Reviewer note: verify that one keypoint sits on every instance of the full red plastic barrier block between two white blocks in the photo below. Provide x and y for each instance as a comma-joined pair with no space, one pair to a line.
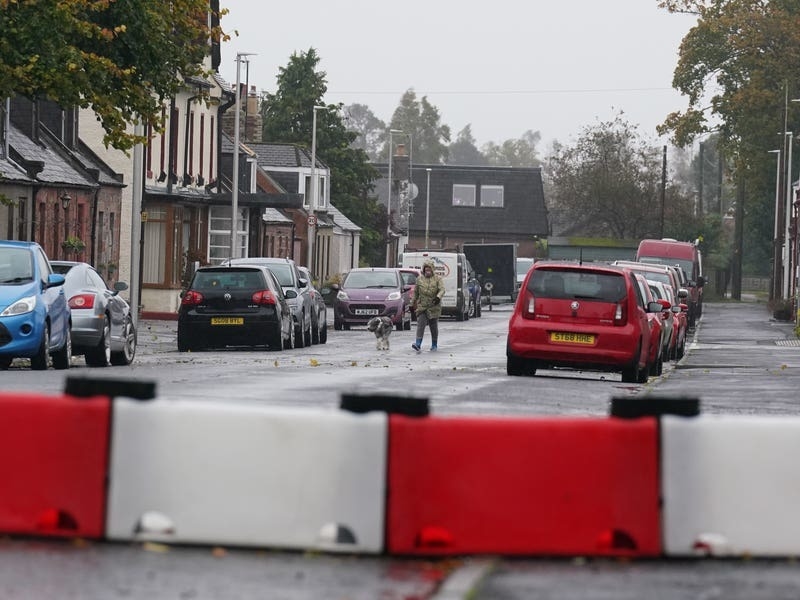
538,486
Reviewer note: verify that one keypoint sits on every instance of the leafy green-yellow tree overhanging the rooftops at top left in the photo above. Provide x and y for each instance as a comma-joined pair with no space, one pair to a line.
122,59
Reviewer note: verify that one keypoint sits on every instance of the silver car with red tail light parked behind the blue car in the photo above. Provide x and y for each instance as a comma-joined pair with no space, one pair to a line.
102,324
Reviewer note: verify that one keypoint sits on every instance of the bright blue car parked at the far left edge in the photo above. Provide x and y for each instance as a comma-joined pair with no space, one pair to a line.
34,315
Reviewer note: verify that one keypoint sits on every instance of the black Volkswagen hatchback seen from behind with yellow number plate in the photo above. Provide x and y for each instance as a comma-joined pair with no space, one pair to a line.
234,306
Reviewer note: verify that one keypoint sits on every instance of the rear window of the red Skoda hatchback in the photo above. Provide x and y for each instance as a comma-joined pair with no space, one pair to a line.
574,284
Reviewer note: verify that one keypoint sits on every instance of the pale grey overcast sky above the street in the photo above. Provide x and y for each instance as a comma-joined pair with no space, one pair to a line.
503,66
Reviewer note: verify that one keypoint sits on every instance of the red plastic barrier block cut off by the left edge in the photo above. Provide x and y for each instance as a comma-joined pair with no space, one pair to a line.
53,464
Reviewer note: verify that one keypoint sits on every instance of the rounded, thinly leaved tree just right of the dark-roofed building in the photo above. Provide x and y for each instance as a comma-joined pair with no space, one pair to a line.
608,183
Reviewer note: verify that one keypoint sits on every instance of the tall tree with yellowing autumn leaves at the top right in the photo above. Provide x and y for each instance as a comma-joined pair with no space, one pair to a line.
738,67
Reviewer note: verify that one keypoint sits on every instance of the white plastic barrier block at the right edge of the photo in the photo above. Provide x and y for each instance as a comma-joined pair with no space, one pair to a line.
731,485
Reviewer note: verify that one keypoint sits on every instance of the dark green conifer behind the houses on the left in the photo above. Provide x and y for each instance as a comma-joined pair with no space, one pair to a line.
288,117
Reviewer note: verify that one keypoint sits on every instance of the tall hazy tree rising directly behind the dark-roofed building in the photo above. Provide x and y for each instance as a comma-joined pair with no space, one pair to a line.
421,120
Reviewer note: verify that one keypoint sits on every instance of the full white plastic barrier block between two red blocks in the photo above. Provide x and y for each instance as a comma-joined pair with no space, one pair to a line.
244,475
